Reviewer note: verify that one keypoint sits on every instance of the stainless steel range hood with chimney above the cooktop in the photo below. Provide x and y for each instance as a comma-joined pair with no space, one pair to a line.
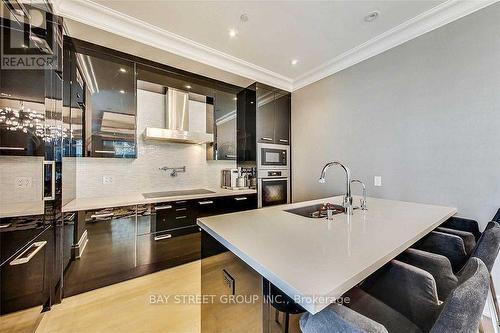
177,128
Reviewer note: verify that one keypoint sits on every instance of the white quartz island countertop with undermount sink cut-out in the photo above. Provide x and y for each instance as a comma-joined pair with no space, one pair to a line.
315,261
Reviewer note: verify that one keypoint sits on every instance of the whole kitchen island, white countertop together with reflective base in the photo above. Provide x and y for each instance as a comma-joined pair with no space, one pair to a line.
313,261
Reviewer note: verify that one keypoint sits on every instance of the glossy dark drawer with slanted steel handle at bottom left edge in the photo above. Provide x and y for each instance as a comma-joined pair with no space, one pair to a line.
25,278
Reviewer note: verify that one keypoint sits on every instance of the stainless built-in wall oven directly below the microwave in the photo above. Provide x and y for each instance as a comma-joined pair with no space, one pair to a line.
273,187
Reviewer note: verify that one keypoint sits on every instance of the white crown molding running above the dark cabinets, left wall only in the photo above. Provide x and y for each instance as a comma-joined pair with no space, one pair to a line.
107,19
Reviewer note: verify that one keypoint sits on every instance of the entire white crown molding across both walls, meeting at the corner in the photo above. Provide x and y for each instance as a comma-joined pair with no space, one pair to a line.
107,19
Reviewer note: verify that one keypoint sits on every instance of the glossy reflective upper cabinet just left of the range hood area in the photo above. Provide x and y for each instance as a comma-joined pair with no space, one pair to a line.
103,104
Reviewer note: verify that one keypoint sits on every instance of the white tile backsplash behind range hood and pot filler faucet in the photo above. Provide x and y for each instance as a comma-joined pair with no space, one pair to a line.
142,174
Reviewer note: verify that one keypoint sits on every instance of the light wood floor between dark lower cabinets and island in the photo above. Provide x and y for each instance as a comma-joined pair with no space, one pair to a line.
125,306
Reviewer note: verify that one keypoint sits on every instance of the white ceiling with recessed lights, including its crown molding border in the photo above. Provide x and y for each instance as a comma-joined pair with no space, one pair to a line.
318,34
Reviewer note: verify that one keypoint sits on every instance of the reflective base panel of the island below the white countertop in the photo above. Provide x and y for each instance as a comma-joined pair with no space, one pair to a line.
234,294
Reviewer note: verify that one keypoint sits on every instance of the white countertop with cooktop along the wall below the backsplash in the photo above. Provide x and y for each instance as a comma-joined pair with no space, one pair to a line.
138,199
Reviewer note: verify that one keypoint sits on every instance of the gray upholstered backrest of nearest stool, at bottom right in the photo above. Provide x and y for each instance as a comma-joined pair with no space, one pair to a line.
462,310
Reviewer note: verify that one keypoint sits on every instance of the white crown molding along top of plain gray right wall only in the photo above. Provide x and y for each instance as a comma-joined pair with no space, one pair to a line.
434,18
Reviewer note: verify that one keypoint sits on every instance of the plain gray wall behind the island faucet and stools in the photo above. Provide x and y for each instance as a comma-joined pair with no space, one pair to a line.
425,116
